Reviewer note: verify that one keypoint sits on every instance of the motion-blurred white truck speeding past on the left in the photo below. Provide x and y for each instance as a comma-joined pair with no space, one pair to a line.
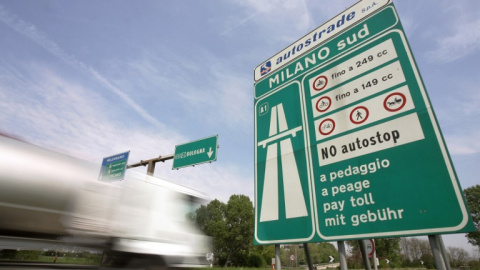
47,198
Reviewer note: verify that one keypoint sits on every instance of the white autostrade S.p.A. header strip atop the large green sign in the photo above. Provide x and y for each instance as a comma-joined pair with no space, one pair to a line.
326,31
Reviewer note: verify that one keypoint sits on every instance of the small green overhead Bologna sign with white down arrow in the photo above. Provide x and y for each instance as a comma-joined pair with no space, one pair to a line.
196,152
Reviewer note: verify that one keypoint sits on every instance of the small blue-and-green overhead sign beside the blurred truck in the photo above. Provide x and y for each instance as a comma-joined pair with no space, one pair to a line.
114,167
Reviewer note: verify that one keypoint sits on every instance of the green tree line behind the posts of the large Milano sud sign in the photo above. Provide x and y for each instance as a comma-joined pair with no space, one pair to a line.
231,227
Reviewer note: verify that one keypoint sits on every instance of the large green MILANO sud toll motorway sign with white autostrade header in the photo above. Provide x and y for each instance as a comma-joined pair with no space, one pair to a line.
346,142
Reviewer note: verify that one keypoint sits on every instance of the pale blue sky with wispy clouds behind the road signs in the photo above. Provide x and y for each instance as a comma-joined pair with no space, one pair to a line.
92,79
